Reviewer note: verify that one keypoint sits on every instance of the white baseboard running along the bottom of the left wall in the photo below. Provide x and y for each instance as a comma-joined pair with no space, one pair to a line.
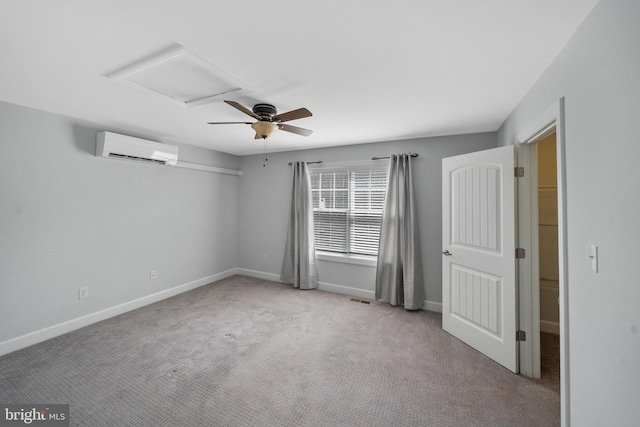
32,338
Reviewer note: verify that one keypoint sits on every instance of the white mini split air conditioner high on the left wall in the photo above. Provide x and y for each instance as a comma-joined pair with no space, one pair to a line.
118,146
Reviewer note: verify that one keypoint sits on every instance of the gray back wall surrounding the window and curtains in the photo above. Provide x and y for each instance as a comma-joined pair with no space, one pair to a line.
264,200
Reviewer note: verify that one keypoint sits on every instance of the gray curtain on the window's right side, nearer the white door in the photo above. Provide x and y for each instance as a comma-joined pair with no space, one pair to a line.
399,270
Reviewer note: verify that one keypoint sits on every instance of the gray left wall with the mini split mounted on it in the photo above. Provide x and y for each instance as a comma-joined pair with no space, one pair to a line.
69,219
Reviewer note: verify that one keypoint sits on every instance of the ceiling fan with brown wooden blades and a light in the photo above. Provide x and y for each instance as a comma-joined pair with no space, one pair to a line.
268,119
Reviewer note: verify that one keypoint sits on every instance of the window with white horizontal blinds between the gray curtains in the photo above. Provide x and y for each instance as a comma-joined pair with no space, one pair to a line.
347,207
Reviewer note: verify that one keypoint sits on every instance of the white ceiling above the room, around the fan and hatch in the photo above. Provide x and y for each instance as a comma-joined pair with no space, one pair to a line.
368,70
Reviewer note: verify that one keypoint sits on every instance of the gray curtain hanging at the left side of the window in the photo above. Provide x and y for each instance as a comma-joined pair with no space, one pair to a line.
299,264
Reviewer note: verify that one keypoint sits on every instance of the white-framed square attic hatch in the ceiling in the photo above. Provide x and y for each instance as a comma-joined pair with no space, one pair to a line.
181,77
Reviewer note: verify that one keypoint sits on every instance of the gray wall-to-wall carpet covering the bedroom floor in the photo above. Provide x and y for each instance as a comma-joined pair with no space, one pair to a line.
248,352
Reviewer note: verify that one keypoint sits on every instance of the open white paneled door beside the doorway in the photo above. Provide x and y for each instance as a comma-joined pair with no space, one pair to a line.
478,243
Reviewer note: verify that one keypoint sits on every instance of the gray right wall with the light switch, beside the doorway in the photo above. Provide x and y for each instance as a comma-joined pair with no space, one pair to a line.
598,73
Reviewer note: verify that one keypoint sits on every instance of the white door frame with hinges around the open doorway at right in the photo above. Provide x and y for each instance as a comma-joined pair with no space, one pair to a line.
527,232
